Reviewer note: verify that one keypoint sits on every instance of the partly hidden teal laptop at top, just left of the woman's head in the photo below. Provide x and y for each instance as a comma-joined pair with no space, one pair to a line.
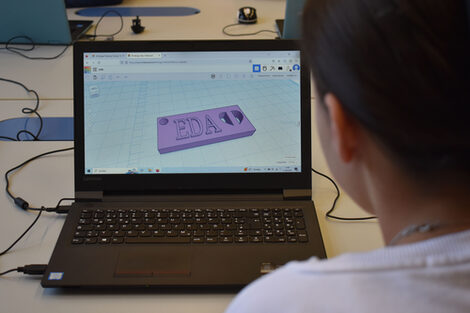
290,26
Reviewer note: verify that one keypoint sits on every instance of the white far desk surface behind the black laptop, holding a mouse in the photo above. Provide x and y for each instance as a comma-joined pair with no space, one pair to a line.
53,78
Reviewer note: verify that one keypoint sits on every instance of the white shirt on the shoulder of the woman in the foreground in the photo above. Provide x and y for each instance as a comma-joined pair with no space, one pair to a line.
425,277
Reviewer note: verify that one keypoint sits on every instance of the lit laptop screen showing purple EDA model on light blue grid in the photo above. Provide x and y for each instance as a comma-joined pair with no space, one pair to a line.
167,112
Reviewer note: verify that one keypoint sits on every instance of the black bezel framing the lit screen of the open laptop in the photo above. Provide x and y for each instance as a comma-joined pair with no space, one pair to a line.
186,182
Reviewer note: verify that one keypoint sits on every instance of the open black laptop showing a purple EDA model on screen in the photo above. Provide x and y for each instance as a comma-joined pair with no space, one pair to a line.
192,165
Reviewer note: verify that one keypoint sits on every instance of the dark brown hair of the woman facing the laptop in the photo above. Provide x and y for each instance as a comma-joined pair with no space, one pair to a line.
402,69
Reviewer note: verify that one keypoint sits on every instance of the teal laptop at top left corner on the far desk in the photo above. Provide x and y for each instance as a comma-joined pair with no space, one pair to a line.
44,22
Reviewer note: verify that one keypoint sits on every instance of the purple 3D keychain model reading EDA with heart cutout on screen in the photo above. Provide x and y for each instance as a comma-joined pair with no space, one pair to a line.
194,129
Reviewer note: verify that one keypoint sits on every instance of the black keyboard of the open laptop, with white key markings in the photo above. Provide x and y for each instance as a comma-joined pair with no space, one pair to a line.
171,226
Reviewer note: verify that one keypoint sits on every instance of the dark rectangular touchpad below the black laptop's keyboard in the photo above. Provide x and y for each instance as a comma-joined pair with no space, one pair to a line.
153,263
